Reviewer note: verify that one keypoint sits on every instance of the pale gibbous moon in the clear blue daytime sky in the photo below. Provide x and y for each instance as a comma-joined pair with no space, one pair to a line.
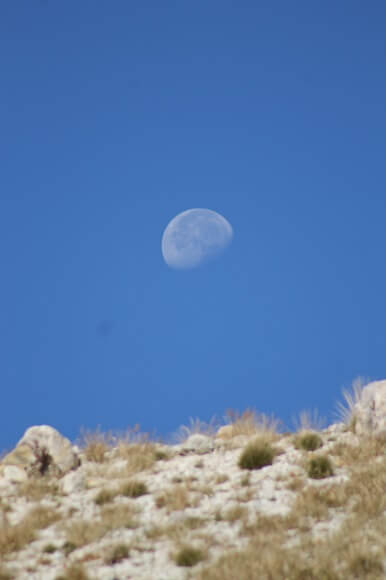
193,237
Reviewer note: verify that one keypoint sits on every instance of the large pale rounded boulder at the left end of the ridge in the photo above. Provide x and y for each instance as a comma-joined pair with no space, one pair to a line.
42,450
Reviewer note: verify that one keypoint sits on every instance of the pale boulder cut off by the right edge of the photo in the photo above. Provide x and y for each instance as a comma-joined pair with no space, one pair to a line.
370,409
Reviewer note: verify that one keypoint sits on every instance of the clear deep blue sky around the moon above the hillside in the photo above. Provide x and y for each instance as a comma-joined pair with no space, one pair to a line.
115,117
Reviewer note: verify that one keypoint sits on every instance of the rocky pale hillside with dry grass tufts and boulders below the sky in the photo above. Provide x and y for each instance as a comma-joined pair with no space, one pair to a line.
245,502
